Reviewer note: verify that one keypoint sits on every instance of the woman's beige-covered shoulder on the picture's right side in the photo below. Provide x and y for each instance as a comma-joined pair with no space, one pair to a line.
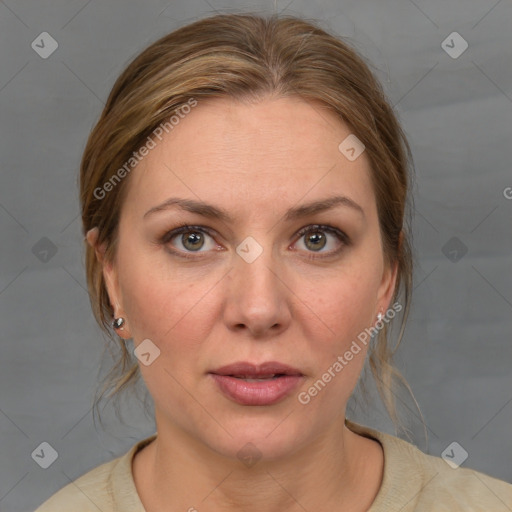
416,481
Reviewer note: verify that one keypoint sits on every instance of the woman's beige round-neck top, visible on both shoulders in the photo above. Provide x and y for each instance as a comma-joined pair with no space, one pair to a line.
412,481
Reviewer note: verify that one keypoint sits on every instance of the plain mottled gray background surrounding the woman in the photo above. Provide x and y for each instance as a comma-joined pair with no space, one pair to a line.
457,113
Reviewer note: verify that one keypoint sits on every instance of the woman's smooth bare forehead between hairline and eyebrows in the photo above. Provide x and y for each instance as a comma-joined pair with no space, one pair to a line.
256,154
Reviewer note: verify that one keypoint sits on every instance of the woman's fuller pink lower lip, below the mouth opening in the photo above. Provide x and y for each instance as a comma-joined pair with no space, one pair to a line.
265,392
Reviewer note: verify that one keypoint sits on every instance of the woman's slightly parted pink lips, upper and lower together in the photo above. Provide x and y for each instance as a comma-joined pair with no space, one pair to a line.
249,384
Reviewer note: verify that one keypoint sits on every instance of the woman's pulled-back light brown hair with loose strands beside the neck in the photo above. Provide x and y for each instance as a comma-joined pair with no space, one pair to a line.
247,57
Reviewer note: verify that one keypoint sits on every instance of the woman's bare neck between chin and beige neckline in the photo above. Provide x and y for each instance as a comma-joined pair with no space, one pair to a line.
337,470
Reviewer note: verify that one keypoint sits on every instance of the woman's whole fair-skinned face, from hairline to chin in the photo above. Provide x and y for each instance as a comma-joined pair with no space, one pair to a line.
249,287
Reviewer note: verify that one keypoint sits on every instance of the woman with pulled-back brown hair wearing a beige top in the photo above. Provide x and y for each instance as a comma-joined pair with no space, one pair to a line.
244,201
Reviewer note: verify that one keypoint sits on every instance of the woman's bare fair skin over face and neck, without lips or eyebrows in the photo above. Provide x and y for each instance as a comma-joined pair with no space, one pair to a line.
255,160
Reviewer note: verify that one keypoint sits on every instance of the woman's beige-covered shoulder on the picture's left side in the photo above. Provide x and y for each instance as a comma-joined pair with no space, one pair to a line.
108,487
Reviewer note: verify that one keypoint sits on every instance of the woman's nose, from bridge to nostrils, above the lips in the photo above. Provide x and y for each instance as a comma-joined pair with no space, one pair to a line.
258,299
